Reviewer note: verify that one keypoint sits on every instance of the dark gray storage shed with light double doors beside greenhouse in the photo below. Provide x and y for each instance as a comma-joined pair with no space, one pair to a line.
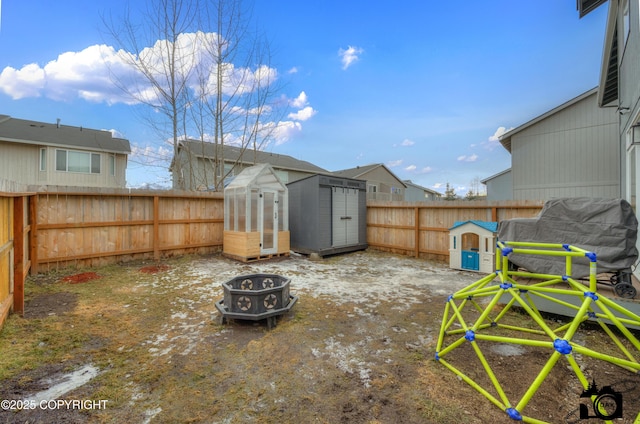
327,215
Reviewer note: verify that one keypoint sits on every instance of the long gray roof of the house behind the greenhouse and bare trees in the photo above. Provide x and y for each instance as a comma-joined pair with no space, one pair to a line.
249,157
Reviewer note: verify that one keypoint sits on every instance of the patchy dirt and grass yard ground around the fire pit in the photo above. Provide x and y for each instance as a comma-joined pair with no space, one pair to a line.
144,343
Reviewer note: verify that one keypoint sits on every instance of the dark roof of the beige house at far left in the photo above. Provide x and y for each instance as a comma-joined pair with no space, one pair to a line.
45,134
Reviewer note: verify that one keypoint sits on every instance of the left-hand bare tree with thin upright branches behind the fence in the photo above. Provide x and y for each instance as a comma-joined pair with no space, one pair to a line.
157,50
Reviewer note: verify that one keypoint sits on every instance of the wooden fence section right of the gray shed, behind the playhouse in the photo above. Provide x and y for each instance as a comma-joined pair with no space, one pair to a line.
421,229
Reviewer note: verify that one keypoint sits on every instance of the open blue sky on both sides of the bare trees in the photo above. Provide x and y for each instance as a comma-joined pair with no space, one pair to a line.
421,86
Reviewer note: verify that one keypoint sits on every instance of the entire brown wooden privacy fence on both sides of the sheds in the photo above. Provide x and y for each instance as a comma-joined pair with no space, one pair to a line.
56,229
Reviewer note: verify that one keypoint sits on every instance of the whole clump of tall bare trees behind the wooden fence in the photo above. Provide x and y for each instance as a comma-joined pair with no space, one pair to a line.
199,66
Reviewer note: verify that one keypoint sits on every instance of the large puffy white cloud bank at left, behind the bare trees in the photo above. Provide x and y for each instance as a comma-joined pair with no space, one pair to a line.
88,74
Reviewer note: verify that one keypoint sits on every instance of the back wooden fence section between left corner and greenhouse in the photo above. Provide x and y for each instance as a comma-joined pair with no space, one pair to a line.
90,229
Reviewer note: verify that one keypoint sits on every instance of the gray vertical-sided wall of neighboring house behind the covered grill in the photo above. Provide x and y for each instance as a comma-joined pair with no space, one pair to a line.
570,152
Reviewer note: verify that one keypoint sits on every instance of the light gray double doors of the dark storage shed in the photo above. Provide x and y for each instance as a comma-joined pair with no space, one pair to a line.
344,216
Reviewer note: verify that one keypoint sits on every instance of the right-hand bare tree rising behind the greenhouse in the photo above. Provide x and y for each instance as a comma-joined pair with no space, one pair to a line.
238,84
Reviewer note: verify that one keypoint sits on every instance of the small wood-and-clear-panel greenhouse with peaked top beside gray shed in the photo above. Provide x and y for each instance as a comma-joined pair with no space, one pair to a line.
256,215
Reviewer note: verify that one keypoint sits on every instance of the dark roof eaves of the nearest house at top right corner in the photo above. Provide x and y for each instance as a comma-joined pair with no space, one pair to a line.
608,92
